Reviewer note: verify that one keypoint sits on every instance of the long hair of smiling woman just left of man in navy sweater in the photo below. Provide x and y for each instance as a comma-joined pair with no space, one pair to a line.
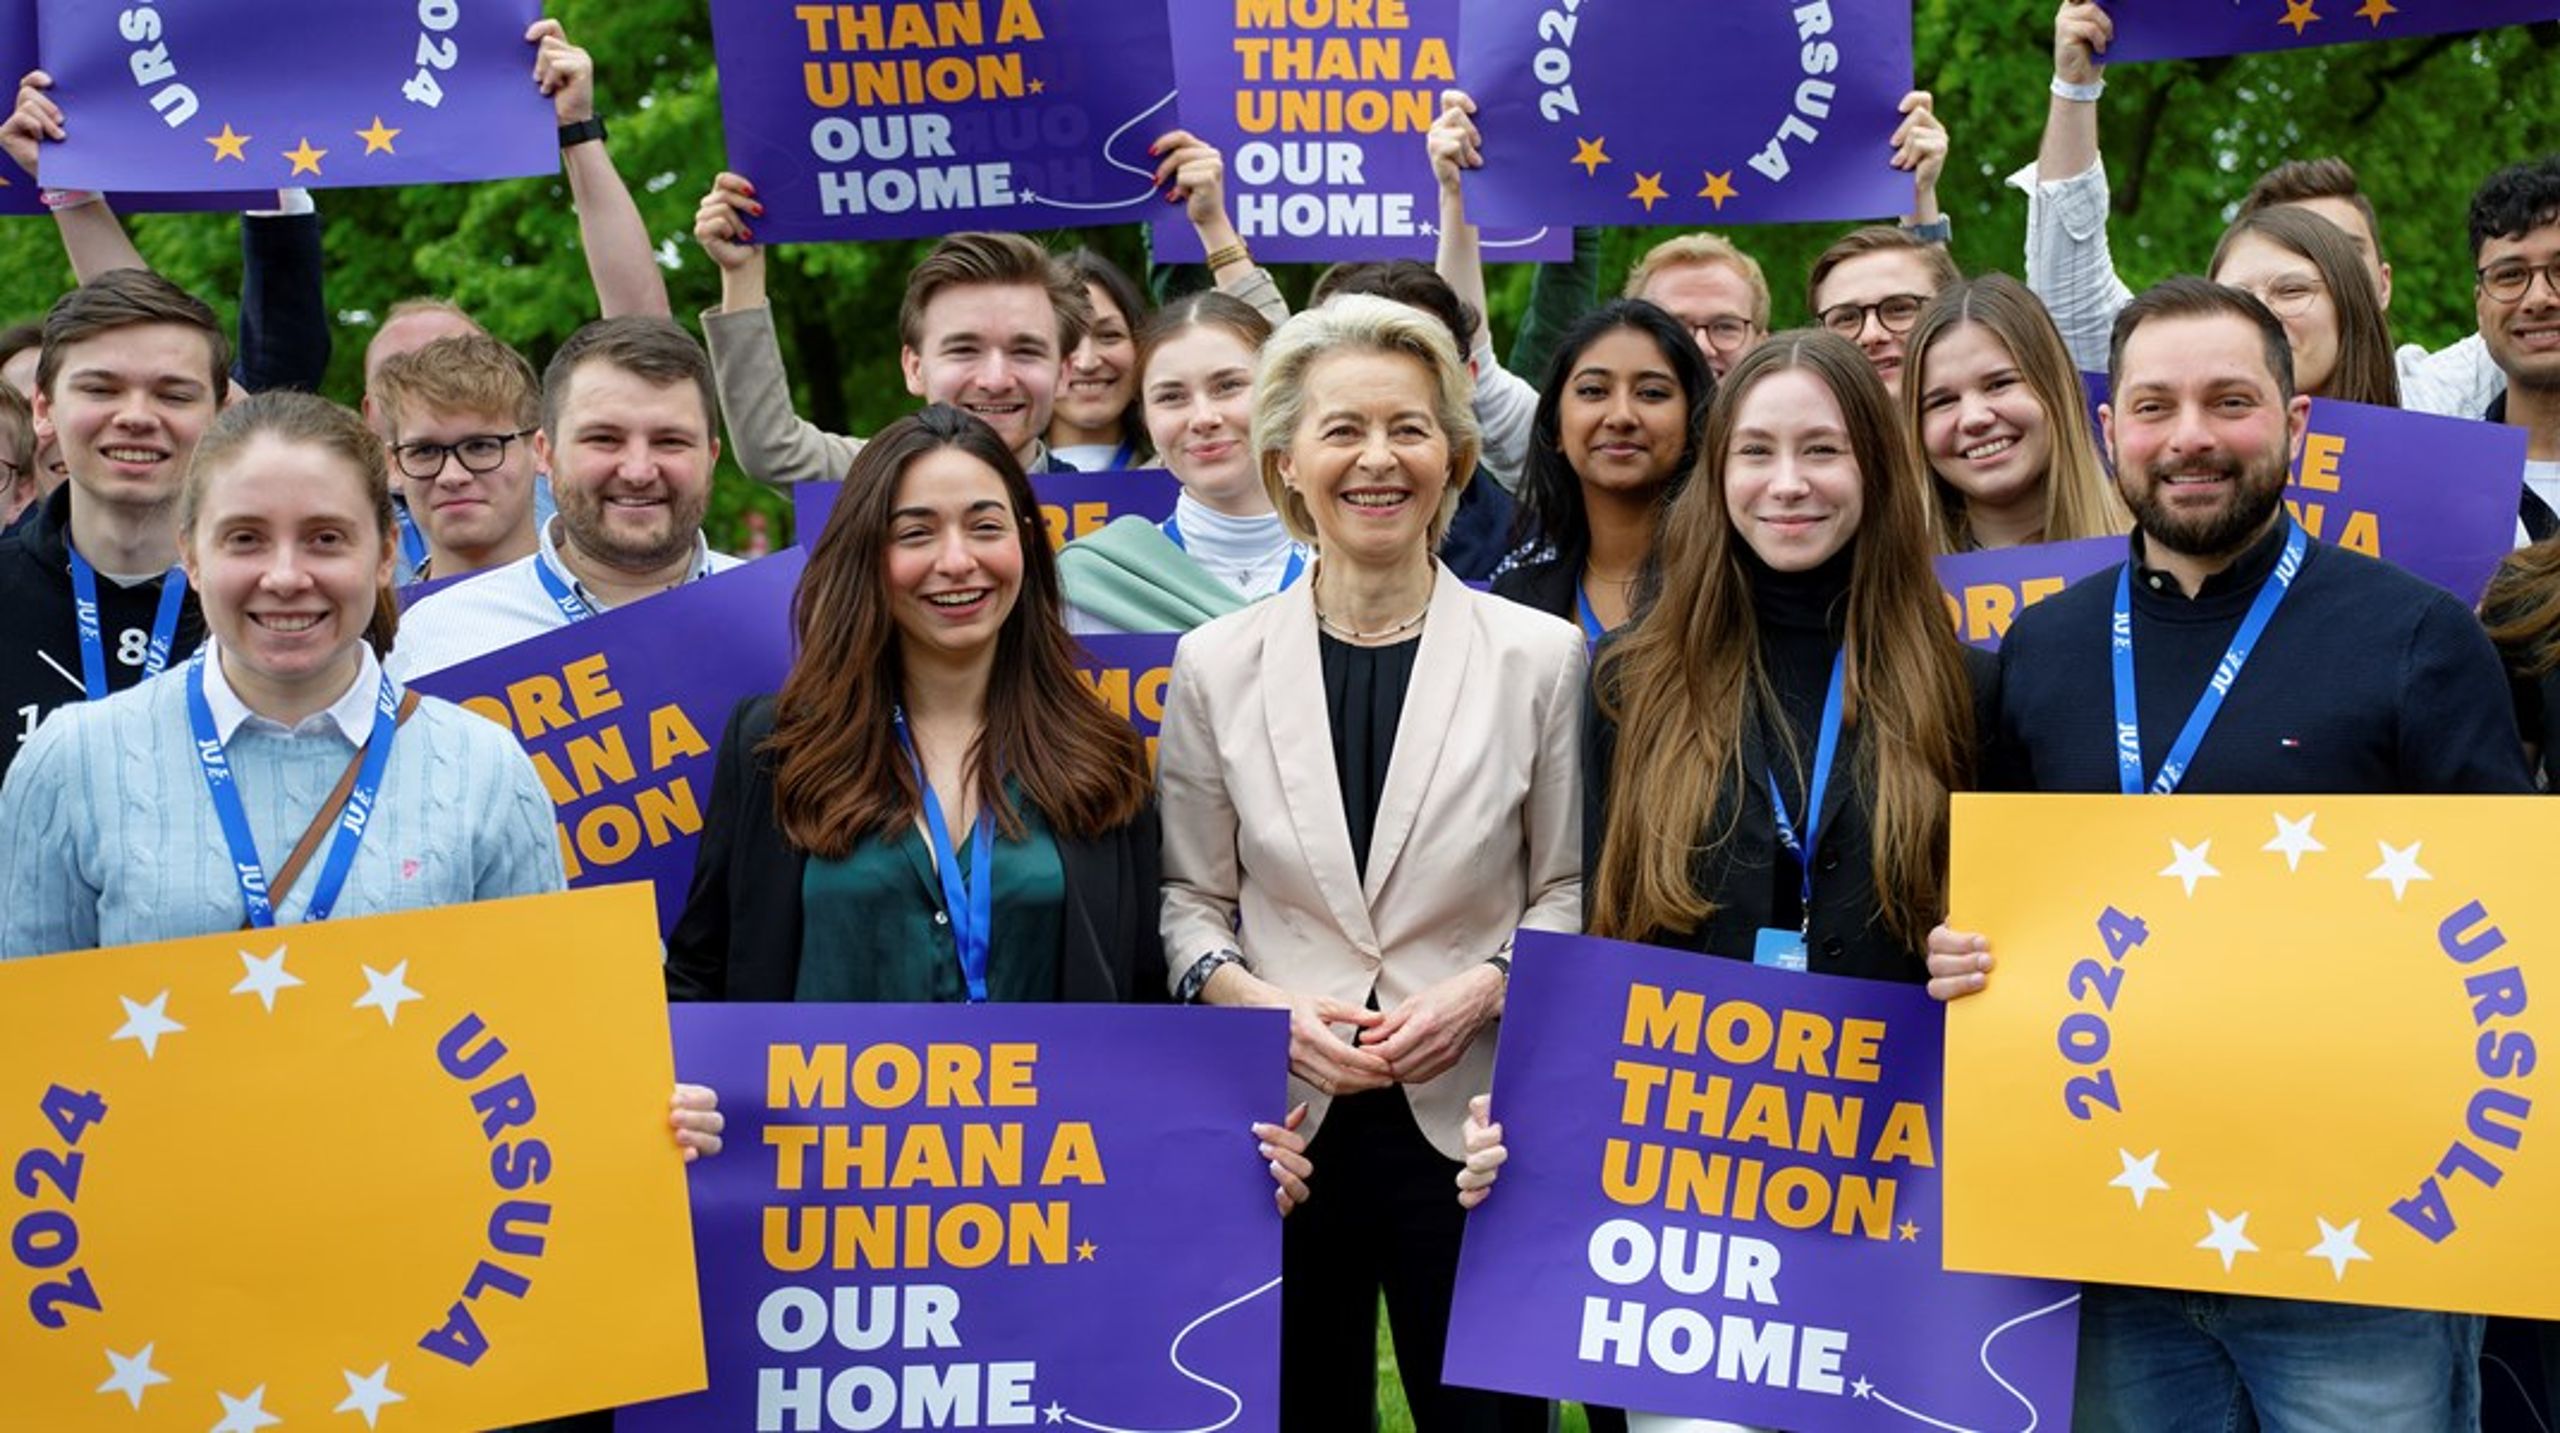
2080,500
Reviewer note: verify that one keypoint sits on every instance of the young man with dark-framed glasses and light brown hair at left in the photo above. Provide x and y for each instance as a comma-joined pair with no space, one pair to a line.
457,416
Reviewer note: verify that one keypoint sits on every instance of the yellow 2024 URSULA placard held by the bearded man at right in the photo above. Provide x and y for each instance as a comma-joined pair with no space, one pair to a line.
2272,1045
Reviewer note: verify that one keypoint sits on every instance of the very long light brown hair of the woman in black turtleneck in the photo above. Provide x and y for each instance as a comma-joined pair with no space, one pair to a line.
1688,674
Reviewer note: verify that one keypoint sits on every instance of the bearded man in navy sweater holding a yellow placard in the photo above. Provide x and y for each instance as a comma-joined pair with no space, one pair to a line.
2244,659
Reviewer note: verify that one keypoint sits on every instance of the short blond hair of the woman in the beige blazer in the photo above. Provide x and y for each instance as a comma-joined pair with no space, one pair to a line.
1361,324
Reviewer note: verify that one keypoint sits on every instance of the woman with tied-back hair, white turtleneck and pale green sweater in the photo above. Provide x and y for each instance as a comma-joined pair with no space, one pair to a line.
1225,546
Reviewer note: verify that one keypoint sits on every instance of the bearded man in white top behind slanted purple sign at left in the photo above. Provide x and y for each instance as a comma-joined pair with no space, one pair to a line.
628,439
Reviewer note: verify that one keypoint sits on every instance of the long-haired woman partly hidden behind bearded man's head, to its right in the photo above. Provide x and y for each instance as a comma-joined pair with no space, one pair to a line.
2308,273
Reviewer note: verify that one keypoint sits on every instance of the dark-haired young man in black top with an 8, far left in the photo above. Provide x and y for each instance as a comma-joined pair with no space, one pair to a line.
132,372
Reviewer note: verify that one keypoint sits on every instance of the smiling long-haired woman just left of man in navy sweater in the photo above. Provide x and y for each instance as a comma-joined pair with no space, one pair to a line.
2001,424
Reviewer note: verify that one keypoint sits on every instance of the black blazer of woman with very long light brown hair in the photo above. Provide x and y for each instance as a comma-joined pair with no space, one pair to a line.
1844,933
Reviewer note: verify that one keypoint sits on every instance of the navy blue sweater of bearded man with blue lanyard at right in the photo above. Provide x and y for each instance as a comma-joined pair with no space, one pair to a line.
2369,682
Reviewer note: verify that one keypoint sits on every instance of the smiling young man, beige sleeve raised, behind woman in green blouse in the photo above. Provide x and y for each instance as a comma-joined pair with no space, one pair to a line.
984,326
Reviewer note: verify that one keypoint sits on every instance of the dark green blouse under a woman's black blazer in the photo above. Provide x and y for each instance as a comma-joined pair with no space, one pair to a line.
874,928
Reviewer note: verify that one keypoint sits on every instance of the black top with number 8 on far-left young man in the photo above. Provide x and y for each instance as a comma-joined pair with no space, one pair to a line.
40,628
